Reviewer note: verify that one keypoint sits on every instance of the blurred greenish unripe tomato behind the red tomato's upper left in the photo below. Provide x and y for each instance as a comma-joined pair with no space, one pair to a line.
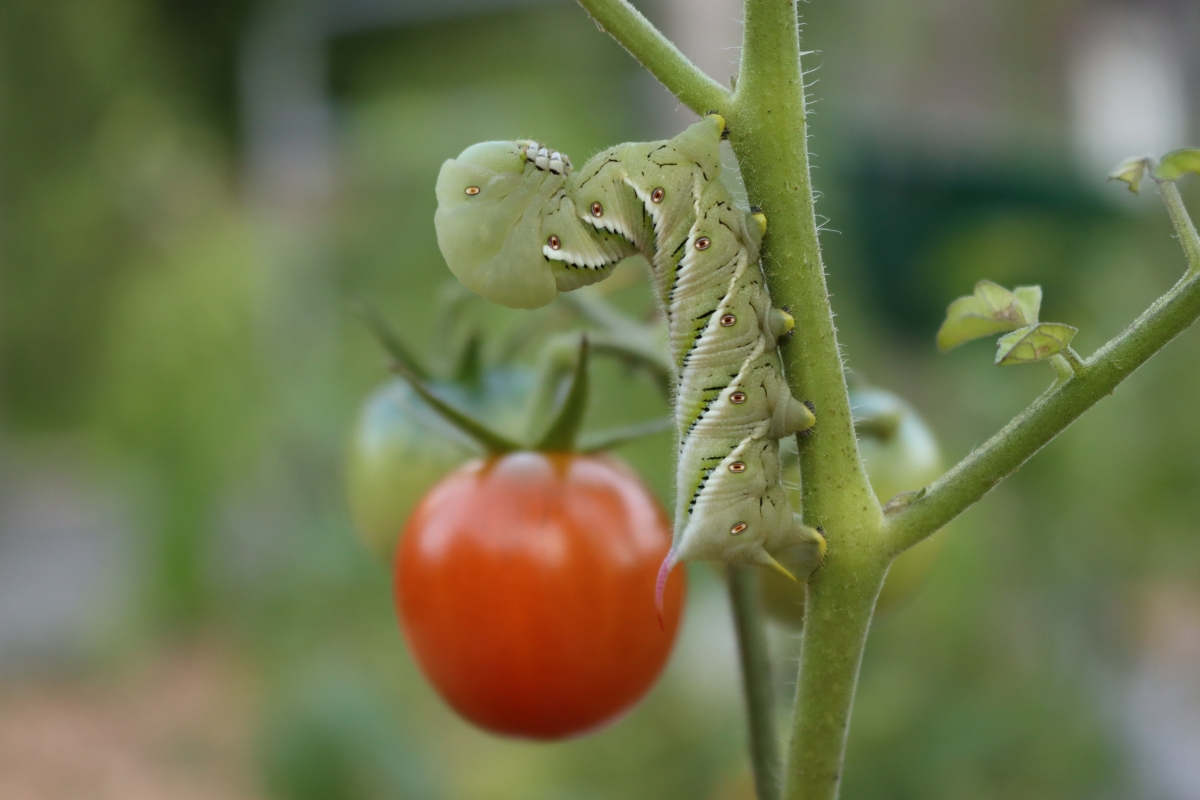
400,448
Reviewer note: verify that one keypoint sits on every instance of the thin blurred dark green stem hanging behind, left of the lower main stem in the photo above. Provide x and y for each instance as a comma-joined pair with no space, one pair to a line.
757,682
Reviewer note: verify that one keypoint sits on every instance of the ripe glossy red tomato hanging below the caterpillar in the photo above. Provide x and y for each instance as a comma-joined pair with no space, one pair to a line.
526,591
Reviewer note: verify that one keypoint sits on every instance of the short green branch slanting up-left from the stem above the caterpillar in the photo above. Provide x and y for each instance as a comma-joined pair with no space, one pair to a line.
658,55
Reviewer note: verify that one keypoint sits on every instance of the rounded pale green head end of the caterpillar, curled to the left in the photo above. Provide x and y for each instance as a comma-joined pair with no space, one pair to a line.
508,230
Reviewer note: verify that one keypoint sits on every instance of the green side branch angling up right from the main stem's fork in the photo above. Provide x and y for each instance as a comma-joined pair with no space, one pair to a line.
1047,418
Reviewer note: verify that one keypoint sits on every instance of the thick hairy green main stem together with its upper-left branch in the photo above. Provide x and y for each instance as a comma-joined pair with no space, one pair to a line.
769,134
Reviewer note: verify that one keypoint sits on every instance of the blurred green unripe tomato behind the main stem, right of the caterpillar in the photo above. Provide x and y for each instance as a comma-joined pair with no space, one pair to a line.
901,455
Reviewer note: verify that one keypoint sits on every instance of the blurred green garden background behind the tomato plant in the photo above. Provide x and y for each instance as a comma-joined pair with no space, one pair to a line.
190,195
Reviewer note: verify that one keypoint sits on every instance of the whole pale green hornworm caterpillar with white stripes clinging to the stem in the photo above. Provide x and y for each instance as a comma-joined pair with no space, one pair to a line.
518,225
